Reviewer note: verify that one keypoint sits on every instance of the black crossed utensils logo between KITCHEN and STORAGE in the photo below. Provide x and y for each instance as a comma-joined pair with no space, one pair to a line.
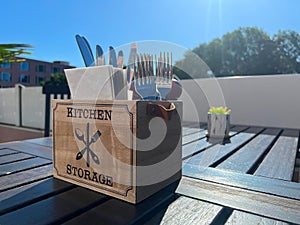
87,142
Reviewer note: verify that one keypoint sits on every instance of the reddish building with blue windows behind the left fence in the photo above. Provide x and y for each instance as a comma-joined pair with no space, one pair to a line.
30,72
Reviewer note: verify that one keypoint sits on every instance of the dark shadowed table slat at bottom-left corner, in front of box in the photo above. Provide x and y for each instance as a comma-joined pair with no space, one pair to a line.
55,209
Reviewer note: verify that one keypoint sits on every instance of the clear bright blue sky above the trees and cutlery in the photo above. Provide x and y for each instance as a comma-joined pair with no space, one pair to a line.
51,25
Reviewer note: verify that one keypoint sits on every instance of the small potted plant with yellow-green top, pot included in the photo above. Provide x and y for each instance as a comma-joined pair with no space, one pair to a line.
218,122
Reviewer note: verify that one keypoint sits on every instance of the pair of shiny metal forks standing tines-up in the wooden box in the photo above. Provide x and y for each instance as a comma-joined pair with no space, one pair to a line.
152,76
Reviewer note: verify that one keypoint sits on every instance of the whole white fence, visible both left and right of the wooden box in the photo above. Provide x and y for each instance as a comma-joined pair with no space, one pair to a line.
271,101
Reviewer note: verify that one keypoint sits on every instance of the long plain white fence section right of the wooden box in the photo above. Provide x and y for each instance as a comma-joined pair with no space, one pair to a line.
272,101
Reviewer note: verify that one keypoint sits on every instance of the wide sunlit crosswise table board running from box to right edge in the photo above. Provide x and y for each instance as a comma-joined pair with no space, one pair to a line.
274,207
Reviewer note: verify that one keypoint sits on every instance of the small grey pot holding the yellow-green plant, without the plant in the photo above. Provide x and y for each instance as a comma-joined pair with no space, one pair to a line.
218,126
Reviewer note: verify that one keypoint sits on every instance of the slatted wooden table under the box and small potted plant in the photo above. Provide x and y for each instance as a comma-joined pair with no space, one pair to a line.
251,180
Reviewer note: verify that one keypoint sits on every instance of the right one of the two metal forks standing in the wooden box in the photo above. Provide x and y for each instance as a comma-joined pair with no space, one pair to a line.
164,75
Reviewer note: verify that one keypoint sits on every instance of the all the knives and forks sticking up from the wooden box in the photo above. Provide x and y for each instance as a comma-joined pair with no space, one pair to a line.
149,77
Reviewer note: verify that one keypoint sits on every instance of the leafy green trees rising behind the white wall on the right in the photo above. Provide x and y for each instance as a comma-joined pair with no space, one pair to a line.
250,51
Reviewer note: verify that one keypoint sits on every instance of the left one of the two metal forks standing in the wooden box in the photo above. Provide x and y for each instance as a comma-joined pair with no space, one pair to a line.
144,81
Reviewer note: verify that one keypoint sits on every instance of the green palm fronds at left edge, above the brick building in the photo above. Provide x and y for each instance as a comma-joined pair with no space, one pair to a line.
9,52
